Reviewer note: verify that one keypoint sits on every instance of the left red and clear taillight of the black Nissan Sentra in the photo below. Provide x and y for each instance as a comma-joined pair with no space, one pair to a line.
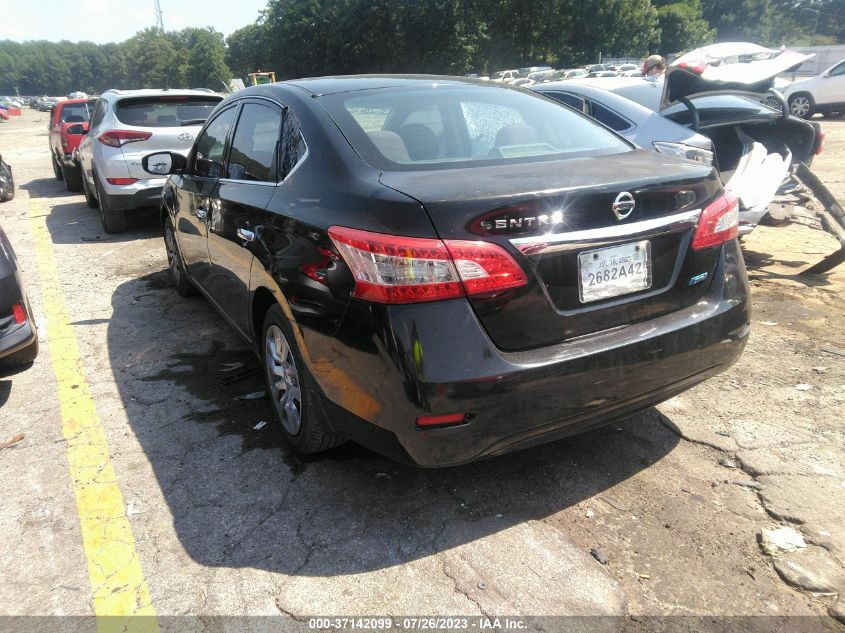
396,269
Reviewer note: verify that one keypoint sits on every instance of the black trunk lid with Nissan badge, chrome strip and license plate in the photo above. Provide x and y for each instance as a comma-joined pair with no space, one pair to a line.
557,219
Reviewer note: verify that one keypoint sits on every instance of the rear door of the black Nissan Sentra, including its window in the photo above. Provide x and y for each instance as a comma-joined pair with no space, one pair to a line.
239,199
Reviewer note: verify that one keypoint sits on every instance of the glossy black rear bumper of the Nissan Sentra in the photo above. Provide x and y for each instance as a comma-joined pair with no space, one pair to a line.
435,358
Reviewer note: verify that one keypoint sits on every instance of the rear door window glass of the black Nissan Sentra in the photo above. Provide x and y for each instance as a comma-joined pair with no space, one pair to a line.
255,144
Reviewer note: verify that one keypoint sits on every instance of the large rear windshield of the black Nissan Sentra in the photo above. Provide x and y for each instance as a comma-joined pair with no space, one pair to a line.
443,127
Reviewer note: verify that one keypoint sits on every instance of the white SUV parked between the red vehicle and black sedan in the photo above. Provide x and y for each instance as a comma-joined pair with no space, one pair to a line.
125,126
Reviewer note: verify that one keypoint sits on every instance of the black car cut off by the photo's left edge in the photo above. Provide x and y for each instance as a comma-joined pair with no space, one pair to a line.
18,336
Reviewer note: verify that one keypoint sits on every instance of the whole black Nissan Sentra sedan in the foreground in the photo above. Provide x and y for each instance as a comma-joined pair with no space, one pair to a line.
444,269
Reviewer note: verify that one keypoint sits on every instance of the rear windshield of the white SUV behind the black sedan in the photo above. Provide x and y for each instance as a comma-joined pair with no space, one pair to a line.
166,111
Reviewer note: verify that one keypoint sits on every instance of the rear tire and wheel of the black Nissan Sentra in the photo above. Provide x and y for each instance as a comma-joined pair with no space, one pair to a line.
294,392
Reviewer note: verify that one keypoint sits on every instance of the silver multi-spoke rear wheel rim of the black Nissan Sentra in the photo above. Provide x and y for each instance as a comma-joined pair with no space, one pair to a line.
283,379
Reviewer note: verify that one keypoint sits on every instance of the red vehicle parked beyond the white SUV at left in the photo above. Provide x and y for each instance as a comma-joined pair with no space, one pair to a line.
68,124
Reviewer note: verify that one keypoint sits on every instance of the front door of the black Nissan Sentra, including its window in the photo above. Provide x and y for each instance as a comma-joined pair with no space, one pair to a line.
194,191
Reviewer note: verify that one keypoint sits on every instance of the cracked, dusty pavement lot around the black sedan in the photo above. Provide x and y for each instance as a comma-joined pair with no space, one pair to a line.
221,519
